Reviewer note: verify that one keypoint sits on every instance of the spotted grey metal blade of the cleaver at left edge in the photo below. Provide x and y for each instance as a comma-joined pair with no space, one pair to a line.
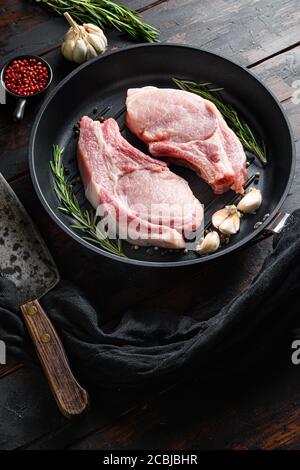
24,256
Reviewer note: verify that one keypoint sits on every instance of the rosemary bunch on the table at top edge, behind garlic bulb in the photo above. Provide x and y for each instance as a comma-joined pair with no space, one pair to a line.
106,13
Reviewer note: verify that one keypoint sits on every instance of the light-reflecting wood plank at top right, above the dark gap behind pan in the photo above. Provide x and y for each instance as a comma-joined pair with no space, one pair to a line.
244,31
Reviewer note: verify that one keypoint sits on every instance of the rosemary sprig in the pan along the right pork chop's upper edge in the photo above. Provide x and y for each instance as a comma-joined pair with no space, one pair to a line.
240,127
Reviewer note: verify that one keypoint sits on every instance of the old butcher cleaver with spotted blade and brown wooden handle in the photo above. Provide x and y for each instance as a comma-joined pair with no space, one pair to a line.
25,260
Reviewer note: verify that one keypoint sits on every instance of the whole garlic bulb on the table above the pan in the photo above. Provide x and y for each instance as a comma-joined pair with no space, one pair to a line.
82,43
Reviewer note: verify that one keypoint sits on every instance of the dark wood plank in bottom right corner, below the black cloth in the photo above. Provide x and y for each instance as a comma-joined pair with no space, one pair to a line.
257,410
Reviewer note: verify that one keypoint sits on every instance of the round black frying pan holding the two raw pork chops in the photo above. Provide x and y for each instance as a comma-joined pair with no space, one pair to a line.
99,88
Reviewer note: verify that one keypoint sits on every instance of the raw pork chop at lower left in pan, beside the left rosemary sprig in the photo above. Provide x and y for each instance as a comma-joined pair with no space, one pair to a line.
148,202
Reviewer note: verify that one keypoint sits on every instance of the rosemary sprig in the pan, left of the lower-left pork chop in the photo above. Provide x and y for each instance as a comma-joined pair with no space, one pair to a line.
85,220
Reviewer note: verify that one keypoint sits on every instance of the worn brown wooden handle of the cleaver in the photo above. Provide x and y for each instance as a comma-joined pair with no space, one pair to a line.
71,398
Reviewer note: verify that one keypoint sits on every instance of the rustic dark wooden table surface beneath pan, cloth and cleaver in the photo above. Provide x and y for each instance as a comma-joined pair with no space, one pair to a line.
255,409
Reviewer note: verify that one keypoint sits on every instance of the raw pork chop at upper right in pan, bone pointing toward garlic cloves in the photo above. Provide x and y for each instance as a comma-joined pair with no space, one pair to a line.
190,130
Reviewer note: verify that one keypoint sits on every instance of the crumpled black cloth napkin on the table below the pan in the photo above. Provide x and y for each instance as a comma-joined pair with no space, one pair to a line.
154,346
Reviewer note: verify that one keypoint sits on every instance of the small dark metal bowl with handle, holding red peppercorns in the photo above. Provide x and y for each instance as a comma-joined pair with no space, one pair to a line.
22,100
